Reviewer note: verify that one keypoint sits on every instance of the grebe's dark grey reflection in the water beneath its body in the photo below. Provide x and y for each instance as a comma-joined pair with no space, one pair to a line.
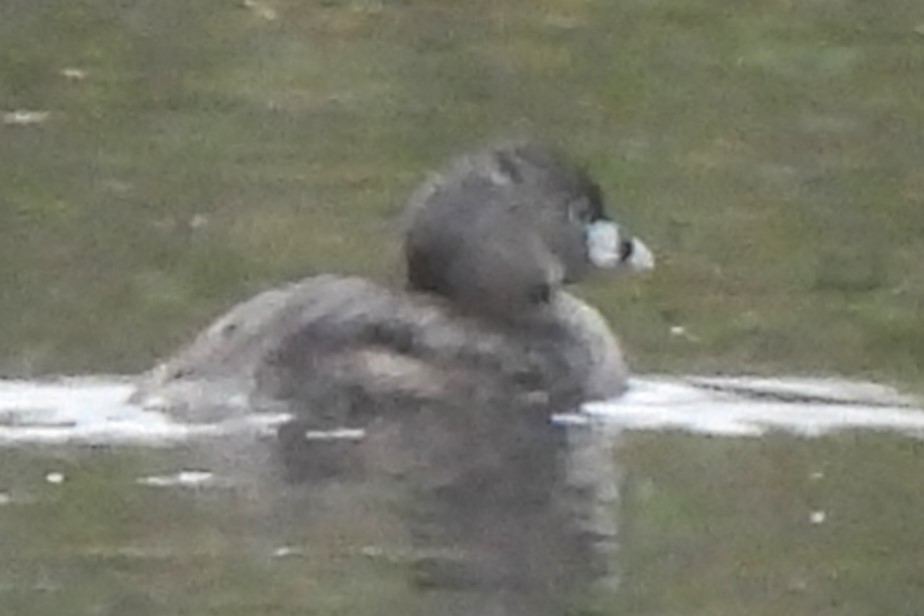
505,511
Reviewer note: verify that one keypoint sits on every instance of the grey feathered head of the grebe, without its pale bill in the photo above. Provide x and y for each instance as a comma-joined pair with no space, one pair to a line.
501,229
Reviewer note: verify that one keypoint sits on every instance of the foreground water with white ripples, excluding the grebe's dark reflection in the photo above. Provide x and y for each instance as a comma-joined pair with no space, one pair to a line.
734,496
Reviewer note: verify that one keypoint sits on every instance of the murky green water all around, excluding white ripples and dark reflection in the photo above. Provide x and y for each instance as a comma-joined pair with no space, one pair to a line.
161,160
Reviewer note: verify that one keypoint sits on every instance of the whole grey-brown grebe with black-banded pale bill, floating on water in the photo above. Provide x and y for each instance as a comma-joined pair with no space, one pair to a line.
489,244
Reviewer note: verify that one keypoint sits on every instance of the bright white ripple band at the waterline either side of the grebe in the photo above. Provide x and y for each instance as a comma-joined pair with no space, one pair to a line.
96,409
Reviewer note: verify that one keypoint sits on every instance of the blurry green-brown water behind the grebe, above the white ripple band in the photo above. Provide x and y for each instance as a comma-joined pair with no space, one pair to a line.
162,159
